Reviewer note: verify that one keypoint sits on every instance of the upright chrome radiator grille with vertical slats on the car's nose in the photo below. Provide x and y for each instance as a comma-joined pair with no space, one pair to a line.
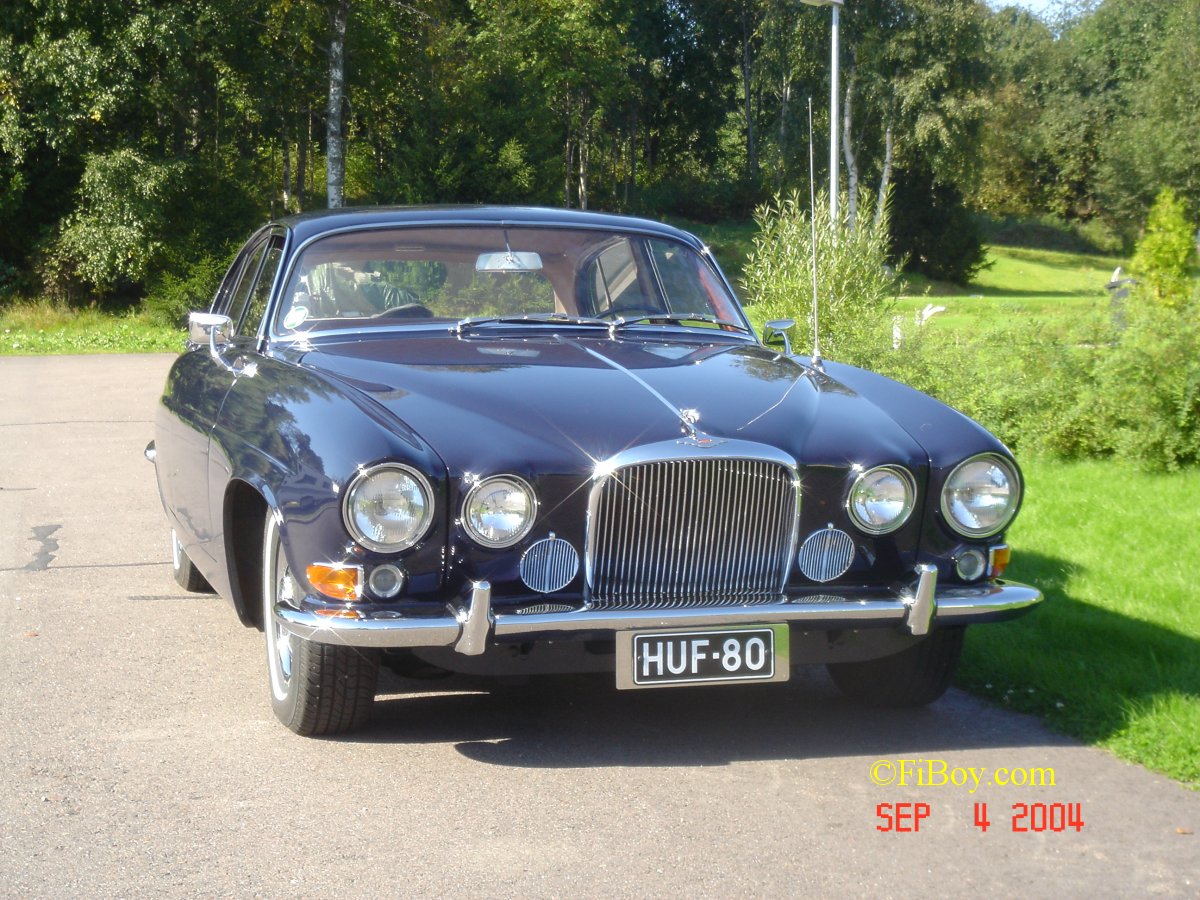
692,532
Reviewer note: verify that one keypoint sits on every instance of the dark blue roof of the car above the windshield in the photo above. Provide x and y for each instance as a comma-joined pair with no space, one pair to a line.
310,225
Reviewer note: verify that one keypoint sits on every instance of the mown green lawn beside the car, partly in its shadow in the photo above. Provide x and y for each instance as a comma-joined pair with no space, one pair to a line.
1113,656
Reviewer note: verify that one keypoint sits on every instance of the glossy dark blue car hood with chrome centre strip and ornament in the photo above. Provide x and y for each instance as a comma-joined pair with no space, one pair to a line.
560,404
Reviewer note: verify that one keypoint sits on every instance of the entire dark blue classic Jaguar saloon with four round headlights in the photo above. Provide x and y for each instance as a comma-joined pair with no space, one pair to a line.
524,441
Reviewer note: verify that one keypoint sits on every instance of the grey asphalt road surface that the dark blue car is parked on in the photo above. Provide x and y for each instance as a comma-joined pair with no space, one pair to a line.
141,757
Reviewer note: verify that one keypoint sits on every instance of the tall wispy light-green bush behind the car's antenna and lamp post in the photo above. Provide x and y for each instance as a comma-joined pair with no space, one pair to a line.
855,287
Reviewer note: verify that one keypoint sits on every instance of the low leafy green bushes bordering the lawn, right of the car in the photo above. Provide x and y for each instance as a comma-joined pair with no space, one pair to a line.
1132,394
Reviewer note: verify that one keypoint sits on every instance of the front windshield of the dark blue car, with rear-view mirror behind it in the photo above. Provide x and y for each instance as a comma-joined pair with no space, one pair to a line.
451,274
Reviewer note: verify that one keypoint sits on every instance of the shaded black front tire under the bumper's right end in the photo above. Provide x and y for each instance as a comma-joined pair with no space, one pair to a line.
910,679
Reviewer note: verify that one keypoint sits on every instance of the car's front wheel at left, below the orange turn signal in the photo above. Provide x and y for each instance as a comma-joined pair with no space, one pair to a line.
316,689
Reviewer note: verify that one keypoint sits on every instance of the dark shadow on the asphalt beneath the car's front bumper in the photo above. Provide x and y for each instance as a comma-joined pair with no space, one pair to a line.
585,722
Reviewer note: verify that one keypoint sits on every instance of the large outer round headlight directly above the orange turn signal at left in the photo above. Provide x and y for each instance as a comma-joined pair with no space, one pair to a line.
388,508
